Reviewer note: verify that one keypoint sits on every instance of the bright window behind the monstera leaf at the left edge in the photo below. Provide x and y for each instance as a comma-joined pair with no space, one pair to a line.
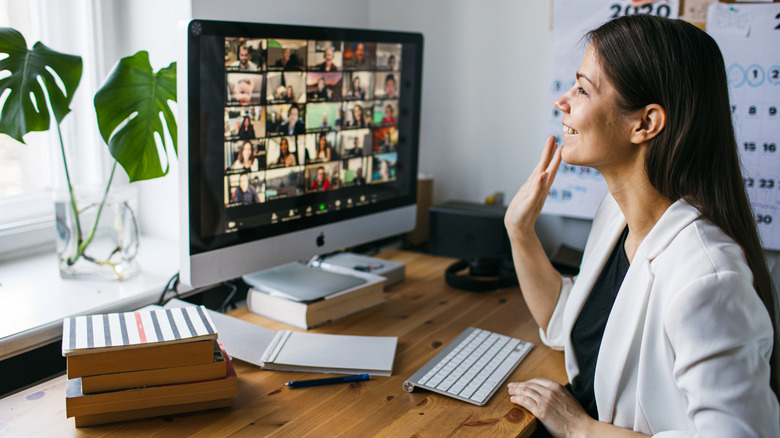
29,172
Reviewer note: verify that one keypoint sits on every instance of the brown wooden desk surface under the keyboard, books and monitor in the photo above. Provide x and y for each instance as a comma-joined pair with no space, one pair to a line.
423,312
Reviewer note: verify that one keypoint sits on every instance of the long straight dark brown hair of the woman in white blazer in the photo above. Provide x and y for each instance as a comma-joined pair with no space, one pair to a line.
672,63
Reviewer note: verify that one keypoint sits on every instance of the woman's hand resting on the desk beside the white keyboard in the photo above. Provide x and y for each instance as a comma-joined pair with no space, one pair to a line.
553,405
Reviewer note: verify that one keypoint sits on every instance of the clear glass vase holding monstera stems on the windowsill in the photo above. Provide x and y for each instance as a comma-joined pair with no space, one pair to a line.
106,247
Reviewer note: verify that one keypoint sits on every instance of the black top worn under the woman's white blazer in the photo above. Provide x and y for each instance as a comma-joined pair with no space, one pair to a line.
589,327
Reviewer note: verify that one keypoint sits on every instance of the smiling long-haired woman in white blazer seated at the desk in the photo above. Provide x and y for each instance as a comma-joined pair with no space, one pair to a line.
666,328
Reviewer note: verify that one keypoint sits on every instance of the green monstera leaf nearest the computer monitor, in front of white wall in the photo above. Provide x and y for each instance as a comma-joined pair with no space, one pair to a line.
129,108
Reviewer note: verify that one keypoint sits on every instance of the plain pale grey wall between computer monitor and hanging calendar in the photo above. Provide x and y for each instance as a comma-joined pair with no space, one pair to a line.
484,97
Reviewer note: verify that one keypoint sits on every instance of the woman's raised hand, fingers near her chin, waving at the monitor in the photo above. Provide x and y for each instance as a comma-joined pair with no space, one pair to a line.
527,204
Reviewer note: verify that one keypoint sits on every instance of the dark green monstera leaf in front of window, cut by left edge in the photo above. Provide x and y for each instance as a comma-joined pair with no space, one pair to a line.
25,108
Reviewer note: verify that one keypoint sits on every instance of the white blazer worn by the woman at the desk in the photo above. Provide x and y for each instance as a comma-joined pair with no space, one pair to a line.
686,347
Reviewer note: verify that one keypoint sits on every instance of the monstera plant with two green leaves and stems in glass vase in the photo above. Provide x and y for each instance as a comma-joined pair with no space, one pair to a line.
130,108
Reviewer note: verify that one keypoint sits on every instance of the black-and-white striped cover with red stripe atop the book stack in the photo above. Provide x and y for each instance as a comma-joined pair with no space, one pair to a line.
149,327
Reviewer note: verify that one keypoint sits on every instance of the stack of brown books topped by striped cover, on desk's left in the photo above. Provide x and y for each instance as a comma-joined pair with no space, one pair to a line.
124,366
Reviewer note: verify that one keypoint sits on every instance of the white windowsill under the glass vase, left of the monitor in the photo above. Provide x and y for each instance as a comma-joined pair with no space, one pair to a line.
34,299
